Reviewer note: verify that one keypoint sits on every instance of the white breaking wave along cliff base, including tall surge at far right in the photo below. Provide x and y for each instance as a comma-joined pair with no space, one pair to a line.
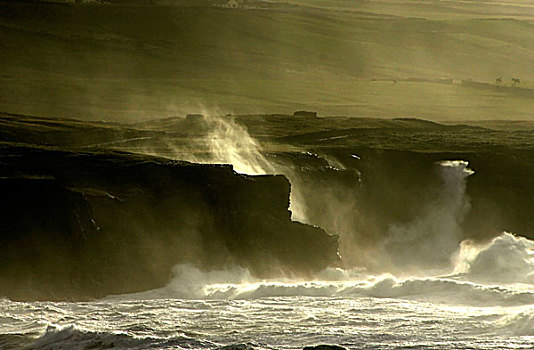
483,281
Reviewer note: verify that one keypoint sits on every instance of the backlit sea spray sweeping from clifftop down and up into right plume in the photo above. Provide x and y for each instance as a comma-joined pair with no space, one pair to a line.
426,242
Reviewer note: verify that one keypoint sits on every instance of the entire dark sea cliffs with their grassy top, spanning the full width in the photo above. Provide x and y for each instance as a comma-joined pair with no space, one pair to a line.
132,216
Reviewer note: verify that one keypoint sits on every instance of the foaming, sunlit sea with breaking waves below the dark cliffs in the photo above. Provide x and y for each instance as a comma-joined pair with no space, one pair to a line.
487,302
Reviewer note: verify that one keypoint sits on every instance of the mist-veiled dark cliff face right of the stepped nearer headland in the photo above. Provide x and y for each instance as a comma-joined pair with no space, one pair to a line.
375,191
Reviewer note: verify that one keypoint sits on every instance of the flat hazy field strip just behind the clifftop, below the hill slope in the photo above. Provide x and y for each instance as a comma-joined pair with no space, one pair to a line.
145,99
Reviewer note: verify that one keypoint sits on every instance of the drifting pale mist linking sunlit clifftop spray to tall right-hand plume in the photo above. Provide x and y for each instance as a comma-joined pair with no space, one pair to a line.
426,244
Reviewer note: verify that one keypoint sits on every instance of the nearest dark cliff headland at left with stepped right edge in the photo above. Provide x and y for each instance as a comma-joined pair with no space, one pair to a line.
84,225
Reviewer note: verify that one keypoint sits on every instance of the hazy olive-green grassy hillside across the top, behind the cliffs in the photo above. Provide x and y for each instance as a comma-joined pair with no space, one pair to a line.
139,62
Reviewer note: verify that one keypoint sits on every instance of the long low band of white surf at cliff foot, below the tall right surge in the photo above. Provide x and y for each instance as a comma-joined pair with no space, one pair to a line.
191,283
